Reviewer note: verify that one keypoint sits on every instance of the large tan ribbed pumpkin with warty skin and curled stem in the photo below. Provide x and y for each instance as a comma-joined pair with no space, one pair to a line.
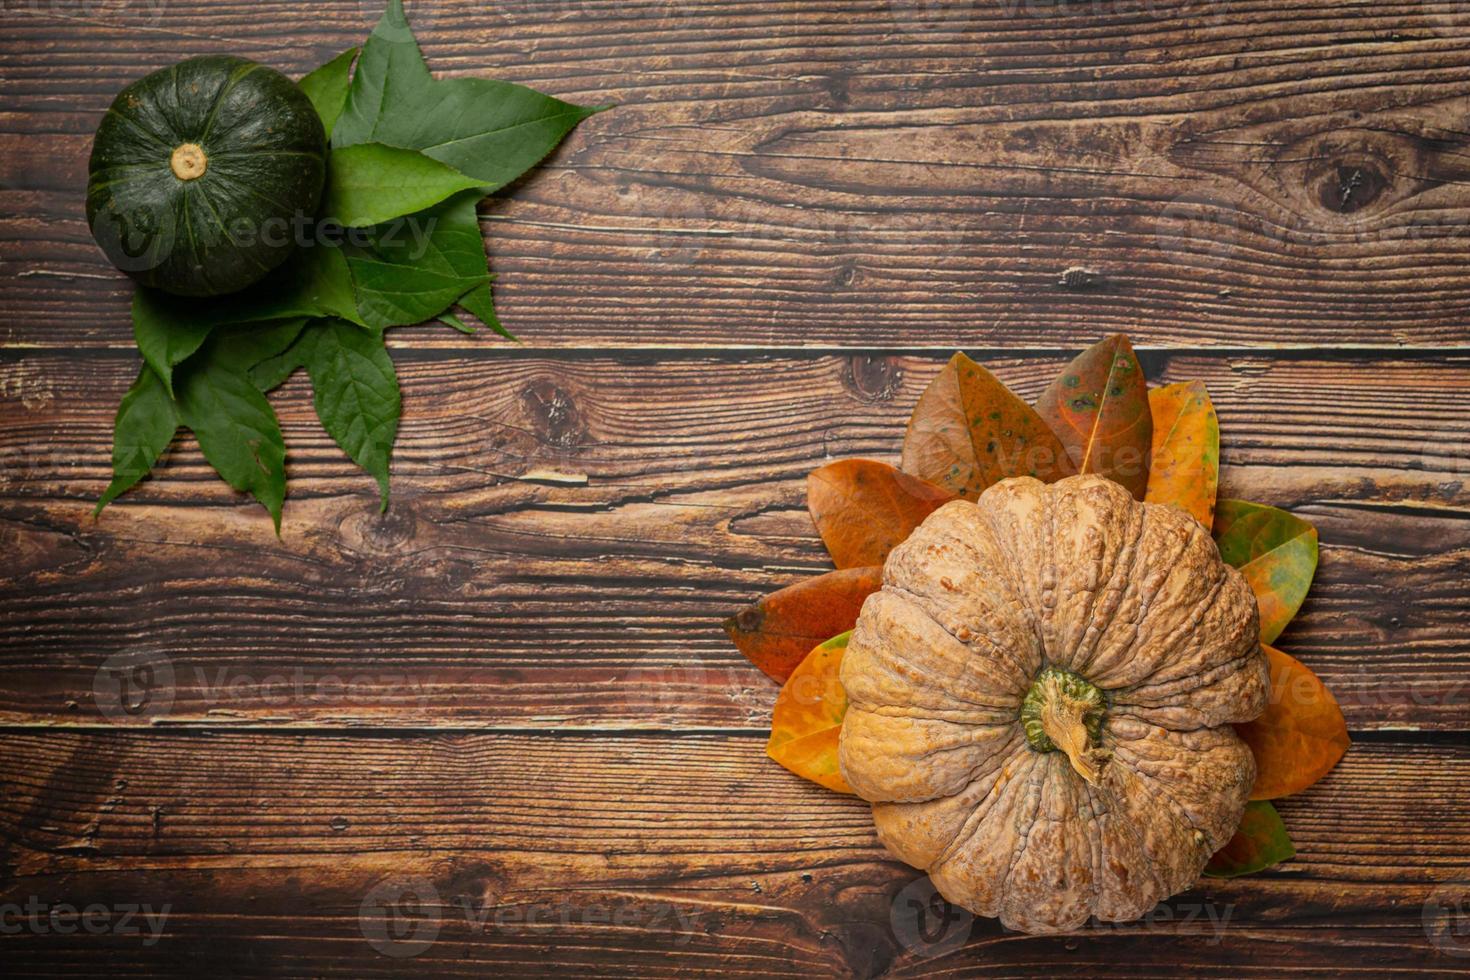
1040,703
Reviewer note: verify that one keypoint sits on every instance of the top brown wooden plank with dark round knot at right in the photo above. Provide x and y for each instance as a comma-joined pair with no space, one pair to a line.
867,174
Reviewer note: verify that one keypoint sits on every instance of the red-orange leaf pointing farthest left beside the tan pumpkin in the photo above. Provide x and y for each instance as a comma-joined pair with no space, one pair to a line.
780,631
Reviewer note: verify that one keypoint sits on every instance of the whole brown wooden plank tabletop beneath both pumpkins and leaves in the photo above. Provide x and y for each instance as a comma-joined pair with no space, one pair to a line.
499,731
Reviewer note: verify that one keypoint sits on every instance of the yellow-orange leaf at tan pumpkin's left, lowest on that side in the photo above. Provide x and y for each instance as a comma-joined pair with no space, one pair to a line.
808,719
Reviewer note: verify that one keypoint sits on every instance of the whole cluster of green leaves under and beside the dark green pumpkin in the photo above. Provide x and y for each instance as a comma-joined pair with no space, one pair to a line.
398,243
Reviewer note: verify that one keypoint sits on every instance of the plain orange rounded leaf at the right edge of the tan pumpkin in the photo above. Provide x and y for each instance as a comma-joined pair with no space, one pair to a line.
1302,737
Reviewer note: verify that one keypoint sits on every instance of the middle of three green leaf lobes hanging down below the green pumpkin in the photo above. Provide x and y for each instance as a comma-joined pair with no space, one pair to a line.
236,427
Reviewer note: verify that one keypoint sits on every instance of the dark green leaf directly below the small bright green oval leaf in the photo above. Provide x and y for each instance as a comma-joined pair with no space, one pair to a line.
418,267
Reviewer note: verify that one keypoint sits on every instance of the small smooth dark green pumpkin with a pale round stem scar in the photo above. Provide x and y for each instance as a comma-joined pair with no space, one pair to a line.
205,176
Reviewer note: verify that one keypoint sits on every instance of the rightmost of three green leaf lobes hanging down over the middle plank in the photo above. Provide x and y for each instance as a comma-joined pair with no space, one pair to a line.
356,396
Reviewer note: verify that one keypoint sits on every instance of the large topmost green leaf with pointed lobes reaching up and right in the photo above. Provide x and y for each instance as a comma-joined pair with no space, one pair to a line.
490,130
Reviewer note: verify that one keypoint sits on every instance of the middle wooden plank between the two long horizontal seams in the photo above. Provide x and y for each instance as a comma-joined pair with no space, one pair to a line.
567,536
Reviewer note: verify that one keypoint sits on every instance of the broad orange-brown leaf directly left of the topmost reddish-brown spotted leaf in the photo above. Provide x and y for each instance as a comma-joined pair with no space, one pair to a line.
969,431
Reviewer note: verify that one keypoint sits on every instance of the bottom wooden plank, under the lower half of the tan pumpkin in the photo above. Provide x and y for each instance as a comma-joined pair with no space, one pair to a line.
640,857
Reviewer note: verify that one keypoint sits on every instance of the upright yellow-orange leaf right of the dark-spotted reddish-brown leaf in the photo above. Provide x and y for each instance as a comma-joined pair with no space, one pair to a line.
1184,466
